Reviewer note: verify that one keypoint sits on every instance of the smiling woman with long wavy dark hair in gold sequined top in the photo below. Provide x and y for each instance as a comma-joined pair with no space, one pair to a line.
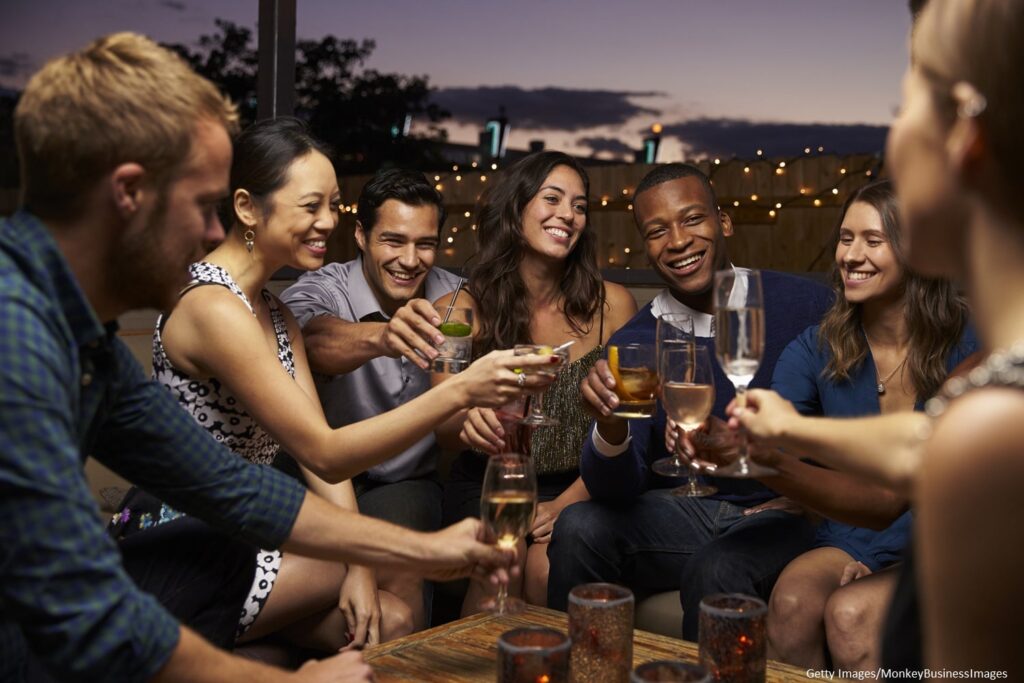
536,281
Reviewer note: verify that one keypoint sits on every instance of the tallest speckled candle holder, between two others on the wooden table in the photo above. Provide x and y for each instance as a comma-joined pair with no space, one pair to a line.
602,629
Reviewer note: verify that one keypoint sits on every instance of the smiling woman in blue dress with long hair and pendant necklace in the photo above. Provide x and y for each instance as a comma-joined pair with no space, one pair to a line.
886,346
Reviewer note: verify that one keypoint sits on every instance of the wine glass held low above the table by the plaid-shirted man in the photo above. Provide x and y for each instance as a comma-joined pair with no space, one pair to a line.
508,502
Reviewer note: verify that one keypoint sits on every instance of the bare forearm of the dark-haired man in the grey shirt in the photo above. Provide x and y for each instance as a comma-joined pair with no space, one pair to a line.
335,347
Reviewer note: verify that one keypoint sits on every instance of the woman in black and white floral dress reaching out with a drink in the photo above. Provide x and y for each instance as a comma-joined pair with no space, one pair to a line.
234,357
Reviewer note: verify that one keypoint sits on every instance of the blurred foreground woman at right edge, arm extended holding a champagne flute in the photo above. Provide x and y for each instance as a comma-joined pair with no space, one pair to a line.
954,153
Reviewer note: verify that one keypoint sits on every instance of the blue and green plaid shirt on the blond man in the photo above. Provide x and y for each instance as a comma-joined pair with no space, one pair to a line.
69,389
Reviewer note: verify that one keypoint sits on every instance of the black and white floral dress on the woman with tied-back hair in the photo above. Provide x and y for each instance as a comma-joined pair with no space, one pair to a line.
215,408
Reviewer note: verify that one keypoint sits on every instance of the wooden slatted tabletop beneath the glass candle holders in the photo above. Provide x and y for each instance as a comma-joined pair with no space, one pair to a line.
467,650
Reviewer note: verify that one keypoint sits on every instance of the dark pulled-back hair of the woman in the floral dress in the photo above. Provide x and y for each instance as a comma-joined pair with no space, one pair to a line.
263,155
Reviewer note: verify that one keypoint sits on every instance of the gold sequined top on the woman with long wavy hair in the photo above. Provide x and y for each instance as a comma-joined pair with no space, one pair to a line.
557,450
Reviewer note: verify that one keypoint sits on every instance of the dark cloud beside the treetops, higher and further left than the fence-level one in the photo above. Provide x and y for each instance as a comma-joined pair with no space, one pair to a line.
544,109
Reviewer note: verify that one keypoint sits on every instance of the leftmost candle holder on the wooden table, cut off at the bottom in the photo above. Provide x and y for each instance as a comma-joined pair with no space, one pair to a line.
534,656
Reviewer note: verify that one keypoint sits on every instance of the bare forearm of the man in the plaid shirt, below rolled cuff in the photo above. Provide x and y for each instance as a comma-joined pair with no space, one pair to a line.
326,532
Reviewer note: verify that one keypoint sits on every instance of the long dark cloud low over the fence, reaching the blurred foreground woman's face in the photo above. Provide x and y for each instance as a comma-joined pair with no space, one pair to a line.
743,138
